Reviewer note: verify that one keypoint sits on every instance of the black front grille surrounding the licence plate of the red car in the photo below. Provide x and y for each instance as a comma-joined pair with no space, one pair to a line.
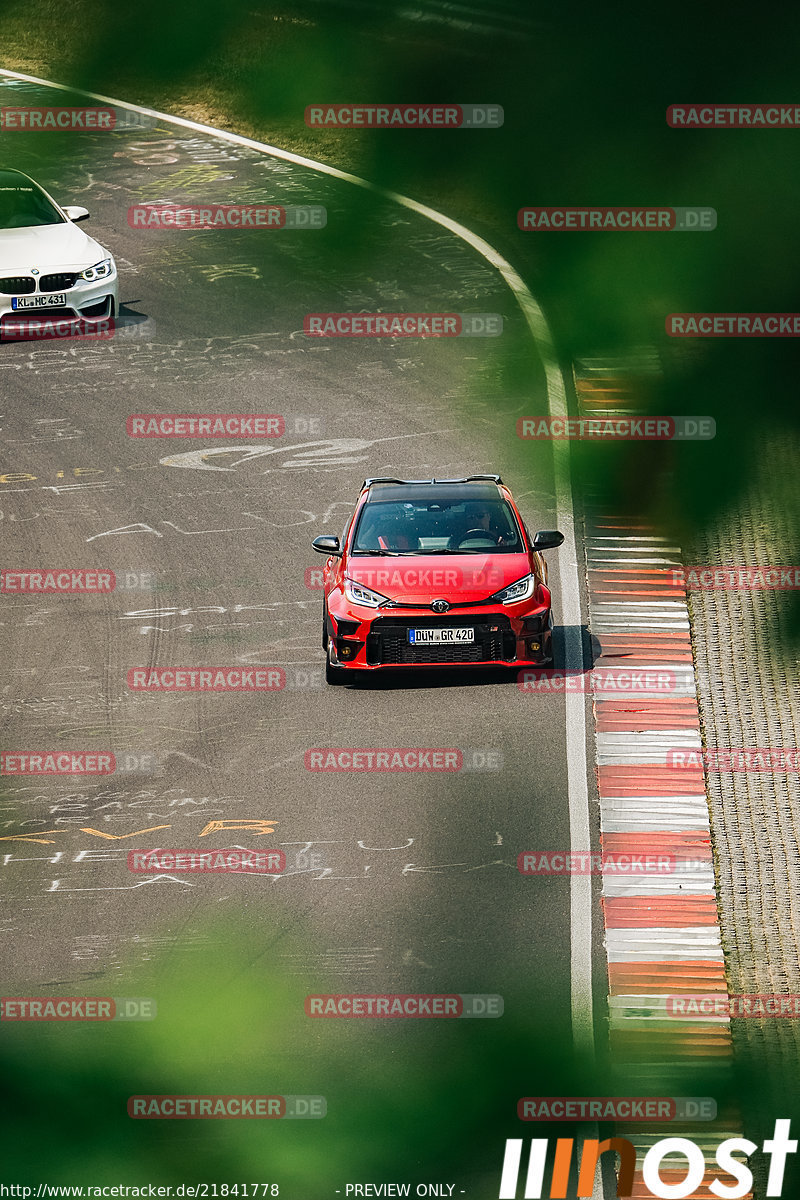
388,643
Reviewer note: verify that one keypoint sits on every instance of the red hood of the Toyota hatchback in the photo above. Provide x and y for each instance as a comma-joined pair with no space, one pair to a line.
425,578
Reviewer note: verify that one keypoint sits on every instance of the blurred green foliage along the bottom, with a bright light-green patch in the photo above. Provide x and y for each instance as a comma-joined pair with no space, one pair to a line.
407,1100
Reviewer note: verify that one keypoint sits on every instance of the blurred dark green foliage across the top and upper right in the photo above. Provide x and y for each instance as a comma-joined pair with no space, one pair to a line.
585,92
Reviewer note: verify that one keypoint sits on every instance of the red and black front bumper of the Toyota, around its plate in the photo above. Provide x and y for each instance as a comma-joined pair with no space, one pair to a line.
381,640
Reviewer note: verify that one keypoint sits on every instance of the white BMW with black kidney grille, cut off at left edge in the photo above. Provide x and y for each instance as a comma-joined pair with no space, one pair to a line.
49,267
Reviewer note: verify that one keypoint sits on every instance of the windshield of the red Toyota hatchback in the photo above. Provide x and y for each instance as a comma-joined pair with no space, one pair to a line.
440,527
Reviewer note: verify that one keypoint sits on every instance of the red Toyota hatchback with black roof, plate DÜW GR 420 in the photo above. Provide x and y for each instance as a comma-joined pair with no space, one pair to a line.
436,573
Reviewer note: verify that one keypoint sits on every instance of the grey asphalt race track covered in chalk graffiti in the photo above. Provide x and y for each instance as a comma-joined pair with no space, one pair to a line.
398,883
